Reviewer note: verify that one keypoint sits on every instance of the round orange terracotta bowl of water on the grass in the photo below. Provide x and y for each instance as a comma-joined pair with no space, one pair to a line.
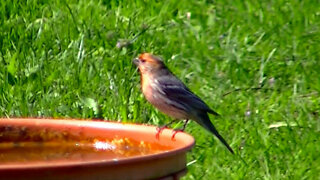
168,161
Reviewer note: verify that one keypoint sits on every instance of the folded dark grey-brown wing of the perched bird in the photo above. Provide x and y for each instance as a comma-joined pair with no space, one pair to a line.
180,95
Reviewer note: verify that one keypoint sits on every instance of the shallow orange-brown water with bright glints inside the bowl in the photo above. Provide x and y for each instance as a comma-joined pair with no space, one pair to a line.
44,145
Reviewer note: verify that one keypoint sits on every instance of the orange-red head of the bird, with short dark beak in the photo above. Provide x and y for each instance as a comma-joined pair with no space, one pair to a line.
147,62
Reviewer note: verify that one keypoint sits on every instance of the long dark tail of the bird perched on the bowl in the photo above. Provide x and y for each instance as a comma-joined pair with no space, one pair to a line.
206,123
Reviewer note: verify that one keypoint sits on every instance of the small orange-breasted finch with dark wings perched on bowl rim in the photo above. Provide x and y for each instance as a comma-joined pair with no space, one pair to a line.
169,95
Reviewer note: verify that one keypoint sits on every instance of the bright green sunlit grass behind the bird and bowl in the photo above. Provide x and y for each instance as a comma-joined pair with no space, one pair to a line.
60,59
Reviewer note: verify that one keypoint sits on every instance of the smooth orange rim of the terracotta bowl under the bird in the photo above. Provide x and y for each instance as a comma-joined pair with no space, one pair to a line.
182,136
